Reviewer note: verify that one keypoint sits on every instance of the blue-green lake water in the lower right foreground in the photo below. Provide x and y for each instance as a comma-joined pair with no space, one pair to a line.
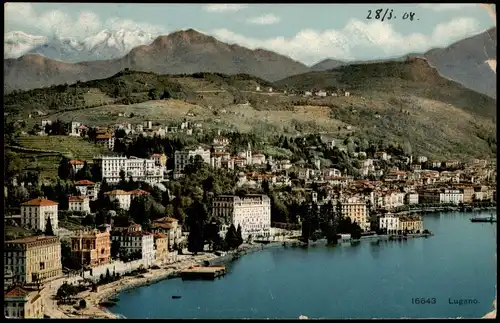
367,280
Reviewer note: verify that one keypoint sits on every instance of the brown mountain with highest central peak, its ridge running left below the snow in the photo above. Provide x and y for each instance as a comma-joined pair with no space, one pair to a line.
181,52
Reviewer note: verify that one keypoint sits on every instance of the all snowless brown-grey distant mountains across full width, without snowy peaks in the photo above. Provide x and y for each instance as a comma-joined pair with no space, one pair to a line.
189,51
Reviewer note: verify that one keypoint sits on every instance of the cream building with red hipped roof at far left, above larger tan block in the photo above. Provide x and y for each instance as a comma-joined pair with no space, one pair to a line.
35,213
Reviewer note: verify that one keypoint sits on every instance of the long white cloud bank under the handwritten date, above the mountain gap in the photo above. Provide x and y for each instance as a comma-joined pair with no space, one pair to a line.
356,39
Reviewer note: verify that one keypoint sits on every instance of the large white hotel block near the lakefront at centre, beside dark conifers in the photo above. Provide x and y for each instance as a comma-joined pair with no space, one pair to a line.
252,212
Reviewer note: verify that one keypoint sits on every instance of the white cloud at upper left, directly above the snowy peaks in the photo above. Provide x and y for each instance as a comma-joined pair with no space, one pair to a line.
57,23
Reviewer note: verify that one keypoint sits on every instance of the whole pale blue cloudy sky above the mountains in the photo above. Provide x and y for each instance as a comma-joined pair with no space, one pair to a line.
307,33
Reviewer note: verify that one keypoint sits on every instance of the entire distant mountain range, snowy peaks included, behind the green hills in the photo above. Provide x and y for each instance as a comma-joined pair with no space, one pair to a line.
58,61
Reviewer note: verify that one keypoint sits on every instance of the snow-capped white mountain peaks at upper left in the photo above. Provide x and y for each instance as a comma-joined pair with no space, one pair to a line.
106,44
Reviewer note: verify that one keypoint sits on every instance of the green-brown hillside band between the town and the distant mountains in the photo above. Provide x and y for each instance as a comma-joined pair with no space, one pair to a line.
404,102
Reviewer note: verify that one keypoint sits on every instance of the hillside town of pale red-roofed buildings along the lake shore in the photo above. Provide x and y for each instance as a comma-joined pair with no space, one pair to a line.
116,198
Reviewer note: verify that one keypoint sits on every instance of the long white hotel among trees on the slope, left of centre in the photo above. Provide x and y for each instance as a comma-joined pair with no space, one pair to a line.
144,170
